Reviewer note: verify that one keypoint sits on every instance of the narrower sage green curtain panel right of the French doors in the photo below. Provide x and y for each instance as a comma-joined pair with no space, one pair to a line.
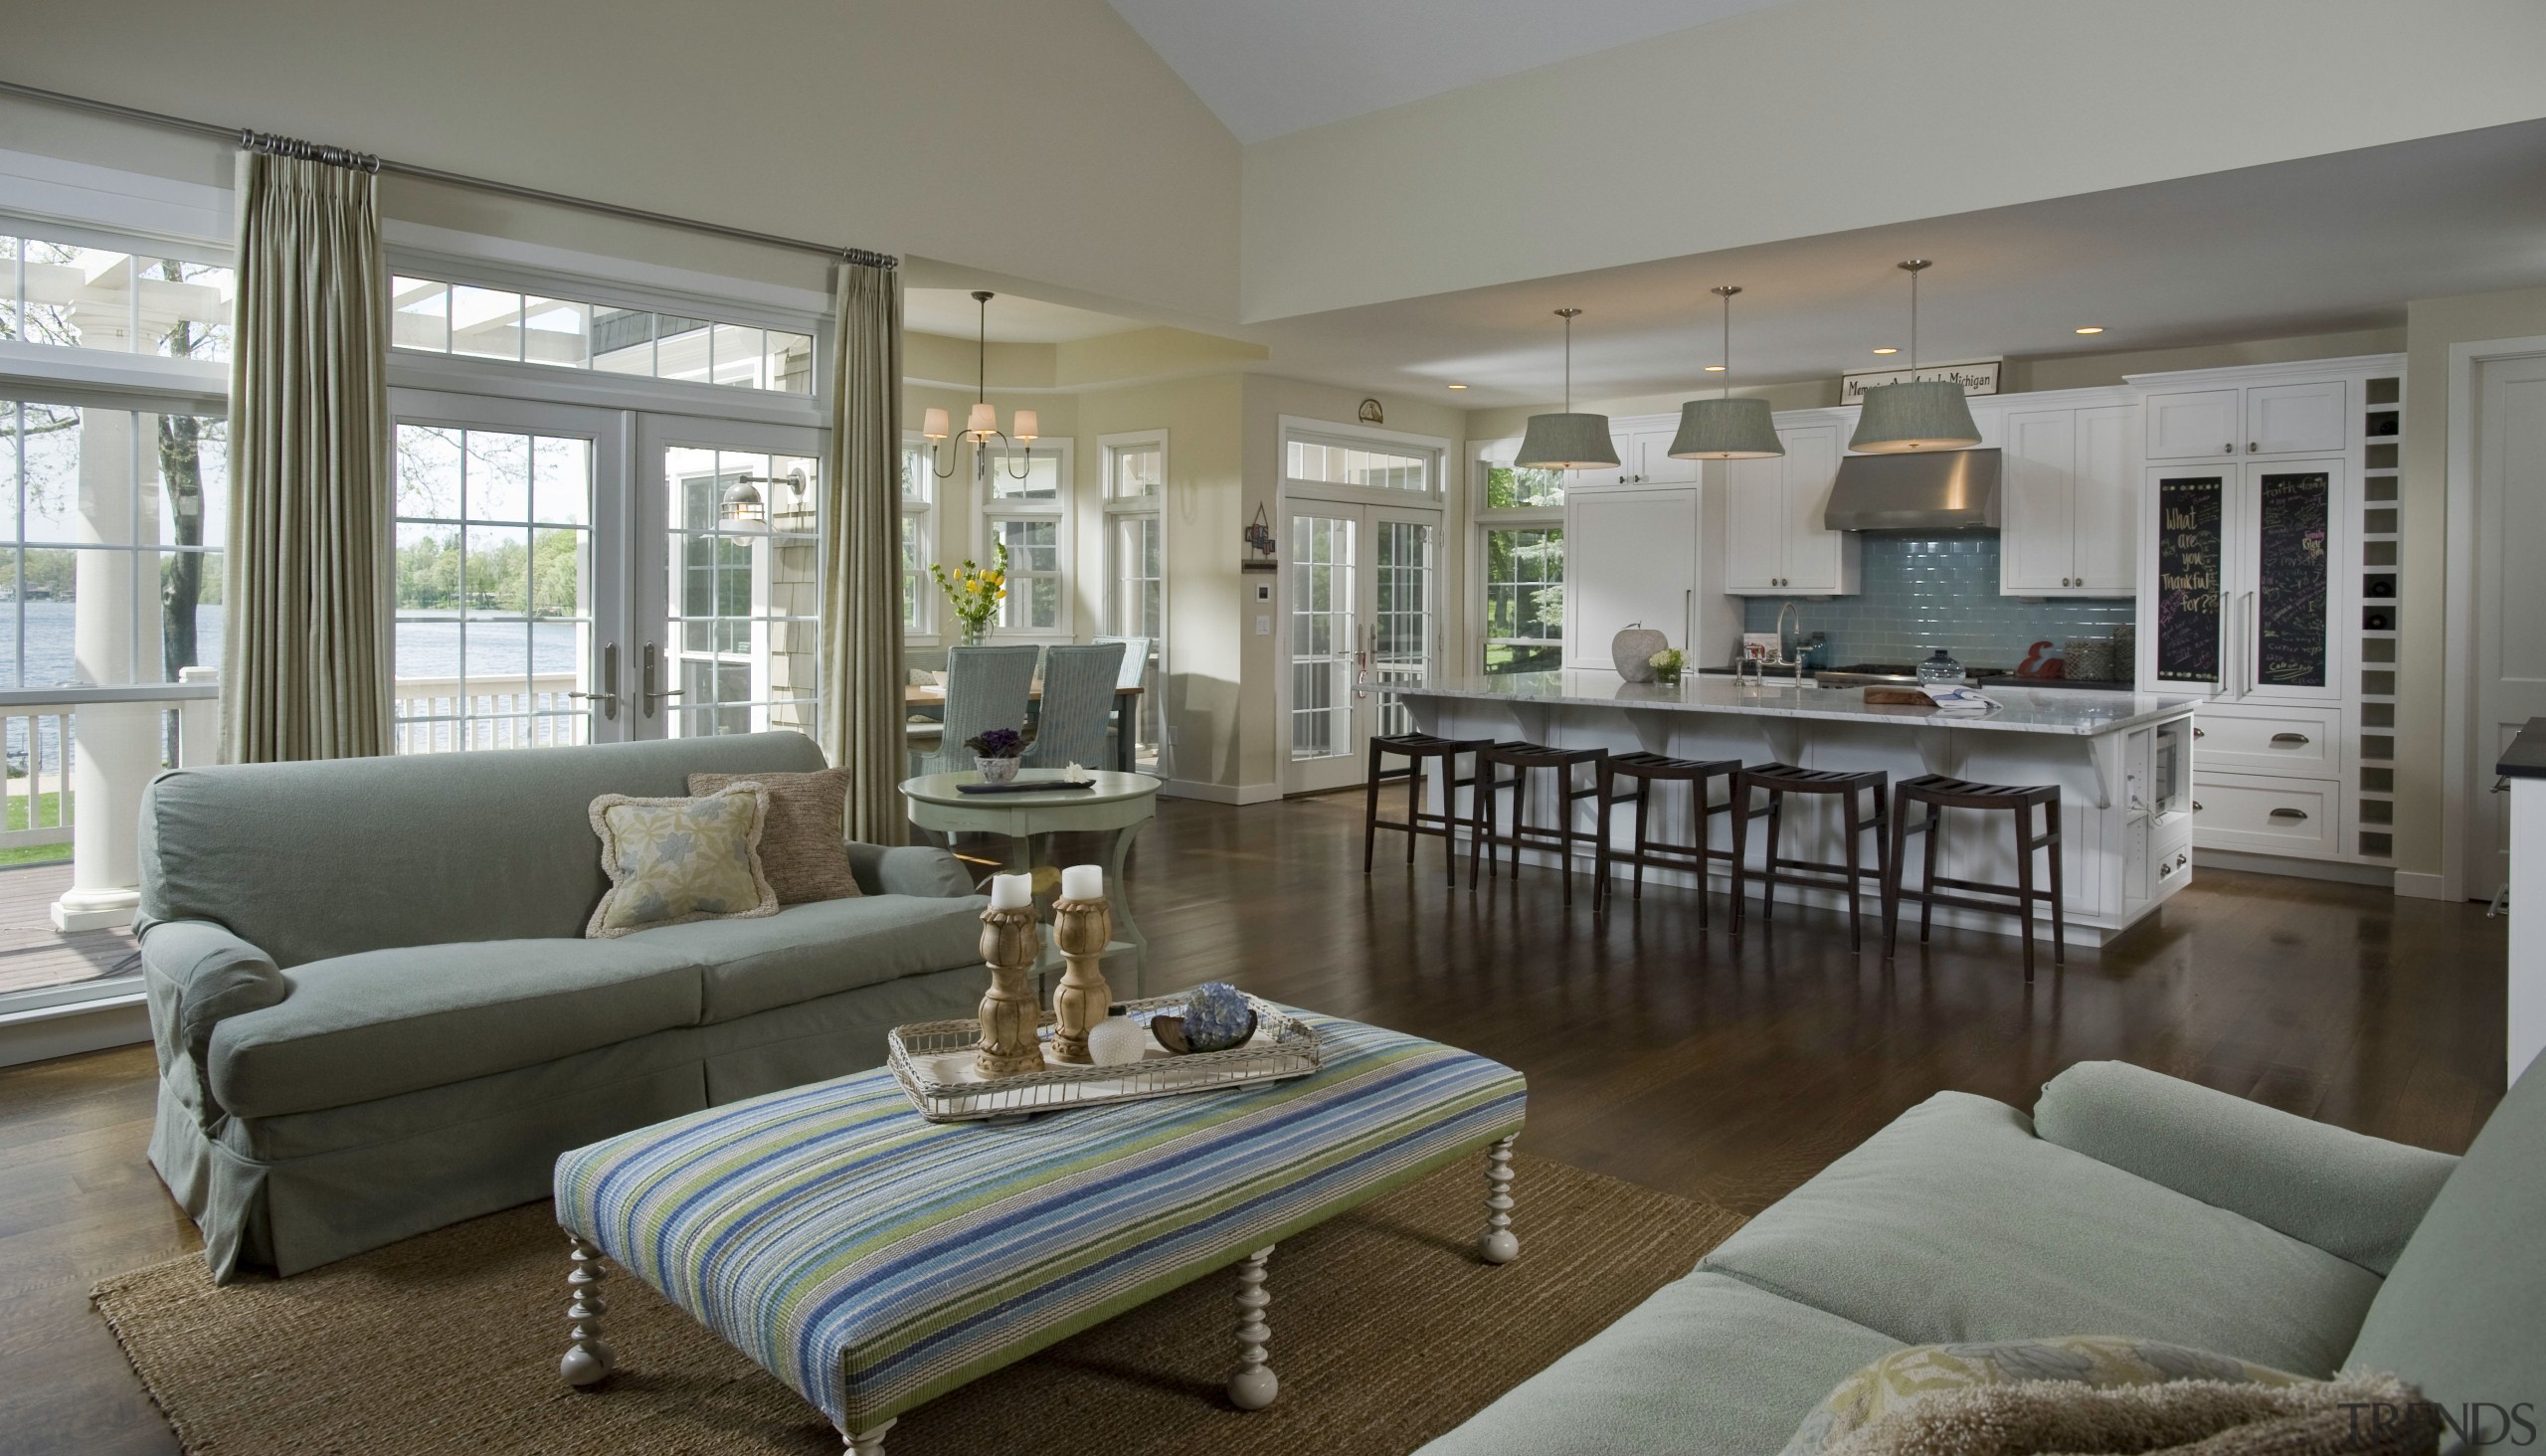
862,554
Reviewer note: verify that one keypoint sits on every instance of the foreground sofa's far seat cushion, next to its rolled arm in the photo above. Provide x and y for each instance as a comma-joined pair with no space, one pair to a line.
1959,1226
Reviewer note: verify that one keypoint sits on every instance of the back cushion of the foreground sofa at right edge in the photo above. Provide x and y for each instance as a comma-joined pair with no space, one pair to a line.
2461,1317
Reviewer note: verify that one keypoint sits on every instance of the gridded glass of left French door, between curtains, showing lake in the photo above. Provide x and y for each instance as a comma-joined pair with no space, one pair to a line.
495,543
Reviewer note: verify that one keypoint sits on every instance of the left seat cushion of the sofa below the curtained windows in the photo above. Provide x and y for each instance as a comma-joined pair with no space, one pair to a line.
393,1022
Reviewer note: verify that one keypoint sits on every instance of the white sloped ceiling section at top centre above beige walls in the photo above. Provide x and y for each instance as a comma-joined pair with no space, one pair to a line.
1272,67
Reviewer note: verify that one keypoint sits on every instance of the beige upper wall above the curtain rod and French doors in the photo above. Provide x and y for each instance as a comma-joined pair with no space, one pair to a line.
992,134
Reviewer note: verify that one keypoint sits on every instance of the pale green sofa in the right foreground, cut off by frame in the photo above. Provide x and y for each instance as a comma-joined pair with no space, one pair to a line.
2132,1205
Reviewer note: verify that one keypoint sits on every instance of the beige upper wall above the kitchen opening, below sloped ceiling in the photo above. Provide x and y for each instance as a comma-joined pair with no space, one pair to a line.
1827,116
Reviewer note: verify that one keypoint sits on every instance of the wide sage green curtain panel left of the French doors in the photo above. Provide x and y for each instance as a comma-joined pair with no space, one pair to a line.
304,648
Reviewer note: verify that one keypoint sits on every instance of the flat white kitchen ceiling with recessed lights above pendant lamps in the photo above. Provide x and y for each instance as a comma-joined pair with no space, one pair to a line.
2262,253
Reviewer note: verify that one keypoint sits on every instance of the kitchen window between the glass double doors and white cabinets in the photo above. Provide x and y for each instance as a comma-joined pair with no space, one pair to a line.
1521,538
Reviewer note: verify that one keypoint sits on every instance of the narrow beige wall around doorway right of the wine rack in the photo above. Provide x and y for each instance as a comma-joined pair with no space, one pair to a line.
2425,650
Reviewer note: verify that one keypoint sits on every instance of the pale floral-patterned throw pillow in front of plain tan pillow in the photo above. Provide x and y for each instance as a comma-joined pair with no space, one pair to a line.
673,862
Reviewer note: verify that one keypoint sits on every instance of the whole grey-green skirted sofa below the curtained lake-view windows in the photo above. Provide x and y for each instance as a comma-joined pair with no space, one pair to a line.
376,1009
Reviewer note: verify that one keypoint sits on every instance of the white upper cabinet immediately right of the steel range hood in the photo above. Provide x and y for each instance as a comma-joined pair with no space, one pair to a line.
2069,503
